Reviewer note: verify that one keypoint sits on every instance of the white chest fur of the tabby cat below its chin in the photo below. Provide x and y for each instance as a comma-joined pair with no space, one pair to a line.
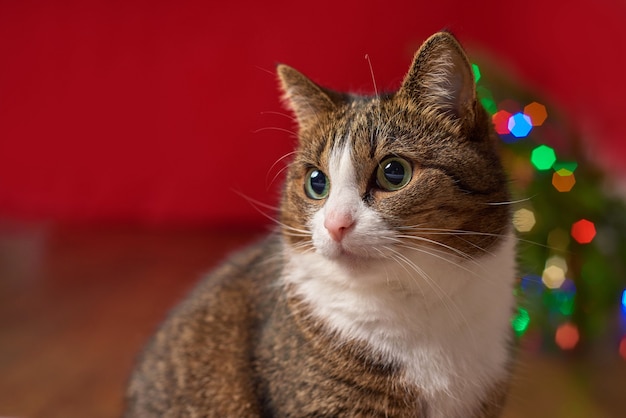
444,320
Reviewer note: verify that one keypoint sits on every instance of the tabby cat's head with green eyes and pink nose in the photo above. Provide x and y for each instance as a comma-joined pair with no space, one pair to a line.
375,175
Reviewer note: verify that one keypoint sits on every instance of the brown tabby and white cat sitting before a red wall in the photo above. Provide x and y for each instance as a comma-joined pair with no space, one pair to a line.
387,288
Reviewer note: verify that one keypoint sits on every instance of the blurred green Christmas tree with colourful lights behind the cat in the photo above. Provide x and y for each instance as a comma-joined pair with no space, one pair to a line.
572,228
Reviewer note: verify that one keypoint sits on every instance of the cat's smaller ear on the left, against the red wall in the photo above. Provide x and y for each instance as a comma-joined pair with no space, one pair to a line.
305,98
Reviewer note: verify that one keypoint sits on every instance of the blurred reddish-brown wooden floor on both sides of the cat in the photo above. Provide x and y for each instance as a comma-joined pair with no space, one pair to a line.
77,304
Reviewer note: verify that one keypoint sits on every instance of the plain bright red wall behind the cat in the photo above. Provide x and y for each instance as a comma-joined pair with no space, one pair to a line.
158,111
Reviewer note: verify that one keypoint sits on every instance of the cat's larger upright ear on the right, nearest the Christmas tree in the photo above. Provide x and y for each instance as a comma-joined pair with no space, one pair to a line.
441,76
